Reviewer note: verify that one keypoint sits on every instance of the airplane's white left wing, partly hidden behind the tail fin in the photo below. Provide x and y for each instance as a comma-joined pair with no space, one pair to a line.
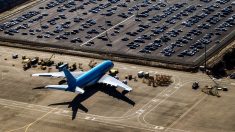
57,74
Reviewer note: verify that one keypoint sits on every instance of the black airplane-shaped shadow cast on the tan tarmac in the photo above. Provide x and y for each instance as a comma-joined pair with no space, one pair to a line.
75,104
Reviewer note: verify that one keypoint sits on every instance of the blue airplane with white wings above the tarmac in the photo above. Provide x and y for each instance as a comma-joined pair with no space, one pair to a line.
76,81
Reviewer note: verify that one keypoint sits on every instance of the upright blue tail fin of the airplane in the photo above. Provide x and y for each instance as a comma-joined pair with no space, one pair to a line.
71,80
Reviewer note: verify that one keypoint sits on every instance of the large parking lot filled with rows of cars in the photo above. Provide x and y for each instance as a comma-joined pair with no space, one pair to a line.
173,32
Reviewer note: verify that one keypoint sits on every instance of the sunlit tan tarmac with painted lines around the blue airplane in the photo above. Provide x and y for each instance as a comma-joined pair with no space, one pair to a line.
26,107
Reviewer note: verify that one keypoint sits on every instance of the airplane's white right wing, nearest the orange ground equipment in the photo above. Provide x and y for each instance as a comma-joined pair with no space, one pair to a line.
114,82
